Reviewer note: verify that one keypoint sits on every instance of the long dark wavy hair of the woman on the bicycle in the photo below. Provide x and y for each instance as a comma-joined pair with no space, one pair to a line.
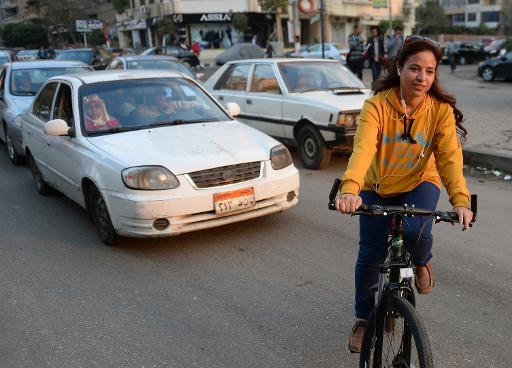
392,80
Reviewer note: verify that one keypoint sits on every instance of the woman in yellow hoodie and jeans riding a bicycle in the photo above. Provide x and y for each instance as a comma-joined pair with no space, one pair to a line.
405,146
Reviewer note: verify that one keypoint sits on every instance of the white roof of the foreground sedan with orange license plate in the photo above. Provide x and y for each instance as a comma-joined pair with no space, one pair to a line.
117,74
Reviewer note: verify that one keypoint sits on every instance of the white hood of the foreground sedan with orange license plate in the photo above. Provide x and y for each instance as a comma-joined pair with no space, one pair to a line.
187,148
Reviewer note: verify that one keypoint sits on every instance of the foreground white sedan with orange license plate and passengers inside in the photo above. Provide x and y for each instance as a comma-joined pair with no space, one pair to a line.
151,153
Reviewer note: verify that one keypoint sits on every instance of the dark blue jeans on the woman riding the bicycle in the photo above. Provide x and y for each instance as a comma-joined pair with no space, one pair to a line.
373,237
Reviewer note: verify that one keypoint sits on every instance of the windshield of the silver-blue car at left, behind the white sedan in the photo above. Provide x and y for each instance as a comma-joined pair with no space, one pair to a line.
26,82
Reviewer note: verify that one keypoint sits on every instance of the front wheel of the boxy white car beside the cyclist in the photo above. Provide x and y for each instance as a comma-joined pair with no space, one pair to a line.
312,149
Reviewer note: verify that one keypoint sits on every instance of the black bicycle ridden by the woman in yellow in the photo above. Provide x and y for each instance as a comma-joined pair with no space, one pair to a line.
394,335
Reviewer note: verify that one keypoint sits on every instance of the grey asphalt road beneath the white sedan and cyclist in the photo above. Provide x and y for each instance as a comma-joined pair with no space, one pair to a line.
271,292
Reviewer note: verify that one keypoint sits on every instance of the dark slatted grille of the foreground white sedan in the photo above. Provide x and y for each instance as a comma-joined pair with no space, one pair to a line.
225,175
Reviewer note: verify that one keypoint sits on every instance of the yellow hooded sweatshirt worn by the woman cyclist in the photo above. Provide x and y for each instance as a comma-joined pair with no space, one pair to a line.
385,163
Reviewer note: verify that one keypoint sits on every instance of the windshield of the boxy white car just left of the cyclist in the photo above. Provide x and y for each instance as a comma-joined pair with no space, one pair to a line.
316,76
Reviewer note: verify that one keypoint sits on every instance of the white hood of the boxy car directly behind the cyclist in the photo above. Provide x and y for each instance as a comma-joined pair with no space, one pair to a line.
342,100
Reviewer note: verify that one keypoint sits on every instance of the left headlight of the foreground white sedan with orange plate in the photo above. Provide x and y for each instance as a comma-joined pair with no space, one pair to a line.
149,178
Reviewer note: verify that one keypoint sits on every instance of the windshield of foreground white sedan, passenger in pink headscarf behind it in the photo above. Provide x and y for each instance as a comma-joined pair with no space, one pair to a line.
118,106
